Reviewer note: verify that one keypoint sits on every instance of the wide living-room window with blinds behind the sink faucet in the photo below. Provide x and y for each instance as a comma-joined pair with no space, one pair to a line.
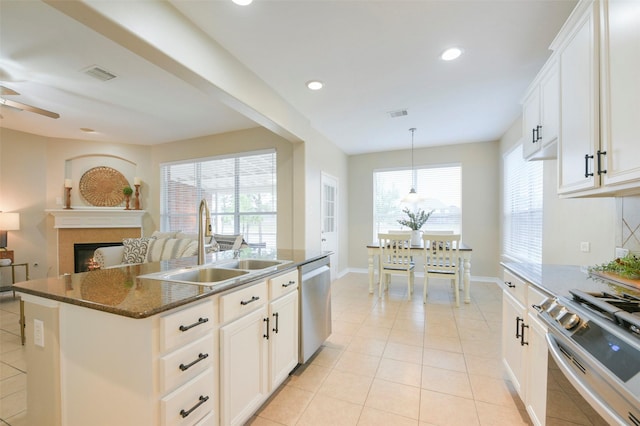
240,191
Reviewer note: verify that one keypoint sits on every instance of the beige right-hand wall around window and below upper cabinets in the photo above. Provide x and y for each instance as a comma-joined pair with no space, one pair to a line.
568,222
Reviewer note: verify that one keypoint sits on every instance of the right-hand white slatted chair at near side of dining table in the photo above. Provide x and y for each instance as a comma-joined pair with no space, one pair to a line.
441,261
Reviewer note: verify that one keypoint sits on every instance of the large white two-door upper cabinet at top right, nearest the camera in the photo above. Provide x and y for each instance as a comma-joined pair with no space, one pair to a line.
598,54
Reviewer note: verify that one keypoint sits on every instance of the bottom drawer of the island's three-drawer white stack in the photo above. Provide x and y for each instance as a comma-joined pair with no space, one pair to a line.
189,403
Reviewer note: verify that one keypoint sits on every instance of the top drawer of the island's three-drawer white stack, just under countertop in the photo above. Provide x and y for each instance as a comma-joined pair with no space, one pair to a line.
186,325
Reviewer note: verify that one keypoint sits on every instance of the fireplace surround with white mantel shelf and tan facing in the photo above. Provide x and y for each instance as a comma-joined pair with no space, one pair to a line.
92,226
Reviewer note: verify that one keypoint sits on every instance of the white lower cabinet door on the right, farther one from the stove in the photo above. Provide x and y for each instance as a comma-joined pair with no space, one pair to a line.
513,315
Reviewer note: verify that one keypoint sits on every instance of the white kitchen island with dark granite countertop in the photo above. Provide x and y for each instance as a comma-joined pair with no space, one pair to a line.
115,347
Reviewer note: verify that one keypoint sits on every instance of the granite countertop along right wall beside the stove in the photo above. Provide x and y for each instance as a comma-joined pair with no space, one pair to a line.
559,279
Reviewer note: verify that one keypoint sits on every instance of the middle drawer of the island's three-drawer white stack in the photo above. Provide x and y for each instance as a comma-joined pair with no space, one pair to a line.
185,363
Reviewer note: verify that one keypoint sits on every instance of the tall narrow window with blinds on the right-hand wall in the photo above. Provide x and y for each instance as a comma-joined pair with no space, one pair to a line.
522,216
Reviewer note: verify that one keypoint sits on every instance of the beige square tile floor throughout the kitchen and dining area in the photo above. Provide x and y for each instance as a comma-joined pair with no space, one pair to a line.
388,362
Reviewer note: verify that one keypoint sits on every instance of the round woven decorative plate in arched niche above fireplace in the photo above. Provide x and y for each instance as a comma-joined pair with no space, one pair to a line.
102,186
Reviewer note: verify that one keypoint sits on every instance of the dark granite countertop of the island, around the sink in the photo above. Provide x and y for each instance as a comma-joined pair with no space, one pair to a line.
120,291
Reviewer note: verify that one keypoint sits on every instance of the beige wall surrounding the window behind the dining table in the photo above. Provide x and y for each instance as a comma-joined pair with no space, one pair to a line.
480,198
